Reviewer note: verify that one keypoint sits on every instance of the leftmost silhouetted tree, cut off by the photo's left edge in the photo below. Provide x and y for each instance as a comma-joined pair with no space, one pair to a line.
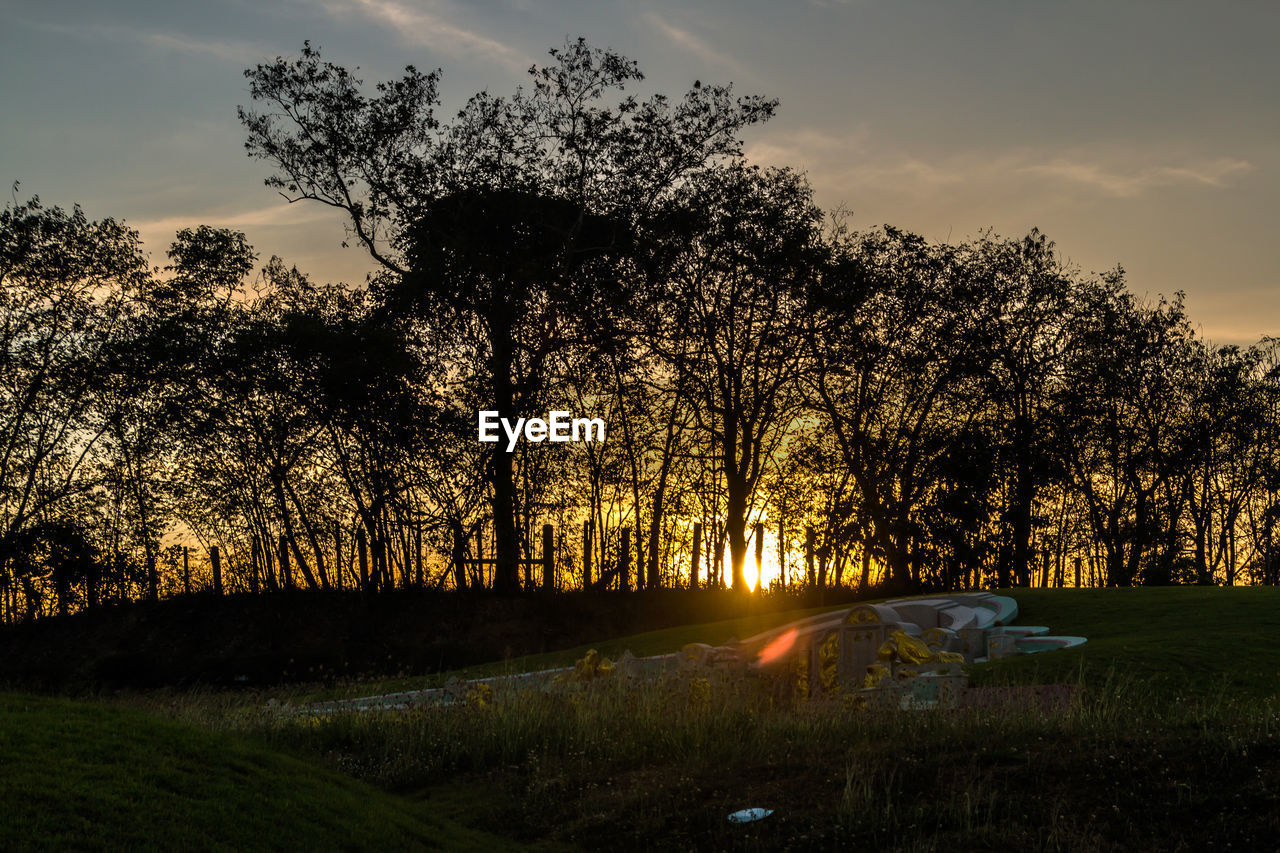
65,284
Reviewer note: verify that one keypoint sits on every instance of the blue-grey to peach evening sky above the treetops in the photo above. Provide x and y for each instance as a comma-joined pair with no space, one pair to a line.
1145,135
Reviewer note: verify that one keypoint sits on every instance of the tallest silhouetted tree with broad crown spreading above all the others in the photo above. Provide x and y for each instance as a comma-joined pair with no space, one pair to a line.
551,180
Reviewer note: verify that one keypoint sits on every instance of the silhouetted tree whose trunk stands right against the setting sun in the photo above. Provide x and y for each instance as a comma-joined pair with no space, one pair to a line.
748,248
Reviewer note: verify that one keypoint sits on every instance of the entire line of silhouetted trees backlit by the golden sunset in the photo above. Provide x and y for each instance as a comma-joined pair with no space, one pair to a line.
904,413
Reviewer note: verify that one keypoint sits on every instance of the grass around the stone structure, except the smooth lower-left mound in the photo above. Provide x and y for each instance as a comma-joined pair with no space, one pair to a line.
1173,745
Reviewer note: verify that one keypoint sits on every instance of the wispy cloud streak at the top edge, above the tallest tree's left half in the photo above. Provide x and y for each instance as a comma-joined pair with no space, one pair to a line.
427,25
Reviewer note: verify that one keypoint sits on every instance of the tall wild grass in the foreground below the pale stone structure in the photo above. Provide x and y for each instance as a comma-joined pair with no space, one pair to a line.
621,765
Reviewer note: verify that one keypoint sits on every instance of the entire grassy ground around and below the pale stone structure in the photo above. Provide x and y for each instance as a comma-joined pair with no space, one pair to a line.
1173,745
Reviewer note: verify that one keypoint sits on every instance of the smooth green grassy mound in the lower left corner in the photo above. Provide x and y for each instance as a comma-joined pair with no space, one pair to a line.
83,776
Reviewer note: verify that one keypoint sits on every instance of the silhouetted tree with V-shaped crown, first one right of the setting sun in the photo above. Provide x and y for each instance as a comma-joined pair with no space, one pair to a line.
898,337
